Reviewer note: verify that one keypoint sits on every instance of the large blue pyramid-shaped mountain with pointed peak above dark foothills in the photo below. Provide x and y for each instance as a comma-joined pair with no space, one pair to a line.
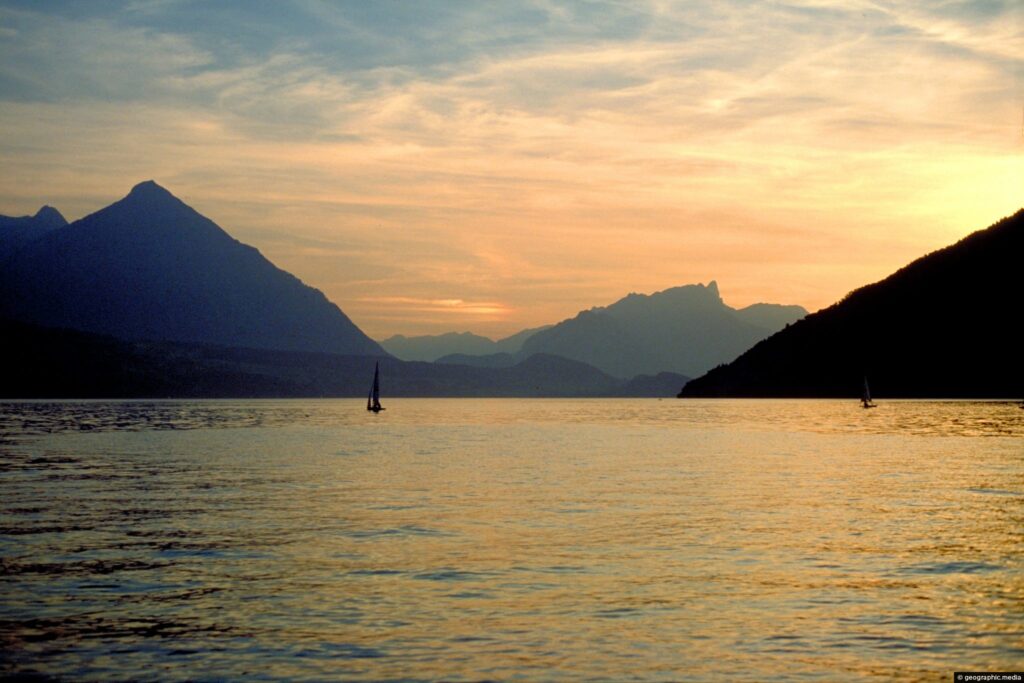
151,268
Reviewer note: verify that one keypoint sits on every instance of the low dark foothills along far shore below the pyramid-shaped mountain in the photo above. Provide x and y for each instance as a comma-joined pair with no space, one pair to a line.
49,363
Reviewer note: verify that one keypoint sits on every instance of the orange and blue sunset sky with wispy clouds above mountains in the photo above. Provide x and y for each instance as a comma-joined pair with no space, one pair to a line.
492,166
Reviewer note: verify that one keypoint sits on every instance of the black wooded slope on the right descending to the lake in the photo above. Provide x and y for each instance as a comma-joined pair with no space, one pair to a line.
946,326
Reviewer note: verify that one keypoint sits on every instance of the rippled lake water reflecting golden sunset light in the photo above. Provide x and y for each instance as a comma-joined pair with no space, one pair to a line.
511,540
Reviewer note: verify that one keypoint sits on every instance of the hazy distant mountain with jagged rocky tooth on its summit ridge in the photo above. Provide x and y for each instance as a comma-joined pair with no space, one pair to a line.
685,330
